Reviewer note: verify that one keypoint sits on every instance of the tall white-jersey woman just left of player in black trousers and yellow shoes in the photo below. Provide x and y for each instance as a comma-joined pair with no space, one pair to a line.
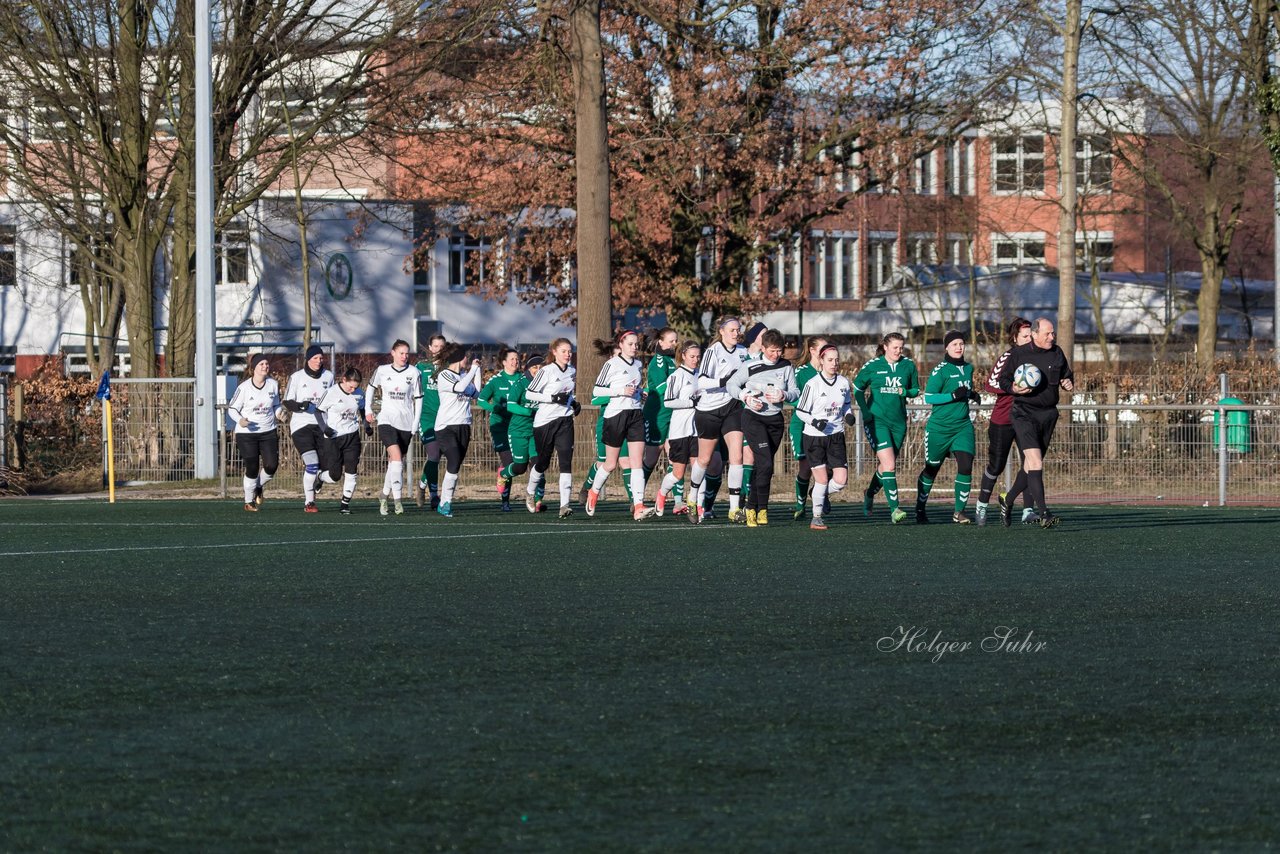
720,417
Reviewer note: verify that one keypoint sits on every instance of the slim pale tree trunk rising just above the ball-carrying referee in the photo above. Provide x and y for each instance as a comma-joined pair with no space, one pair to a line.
1067,177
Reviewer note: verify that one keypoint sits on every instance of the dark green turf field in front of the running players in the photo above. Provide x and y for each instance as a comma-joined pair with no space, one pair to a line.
184,675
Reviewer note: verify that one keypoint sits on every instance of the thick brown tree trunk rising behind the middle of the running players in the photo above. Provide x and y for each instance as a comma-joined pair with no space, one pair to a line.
592,149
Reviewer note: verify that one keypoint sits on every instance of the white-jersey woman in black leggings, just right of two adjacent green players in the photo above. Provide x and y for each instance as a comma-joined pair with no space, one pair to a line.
554,424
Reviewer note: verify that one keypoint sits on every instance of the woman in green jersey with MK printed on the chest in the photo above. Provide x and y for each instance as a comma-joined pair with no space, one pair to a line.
881,389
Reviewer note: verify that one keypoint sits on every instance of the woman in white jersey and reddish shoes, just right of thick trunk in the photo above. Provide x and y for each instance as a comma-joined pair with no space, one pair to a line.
621,383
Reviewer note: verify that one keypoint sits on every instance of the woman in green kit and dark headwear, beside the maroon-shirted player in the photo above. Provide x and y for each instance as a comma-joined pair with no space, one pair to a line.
949,431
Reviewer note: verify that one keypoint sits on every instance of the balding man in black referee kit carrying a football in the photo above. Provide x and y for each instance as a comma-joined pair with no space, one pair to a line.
1035,415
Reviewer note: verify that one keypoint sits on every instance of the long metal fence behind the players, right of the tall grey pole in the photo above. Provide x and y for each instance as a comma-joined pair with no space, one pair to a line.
1154,454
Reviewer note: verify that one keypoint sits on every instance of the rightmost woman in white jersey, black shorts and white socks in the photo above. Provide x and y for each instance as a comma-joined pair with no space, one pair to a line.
824,408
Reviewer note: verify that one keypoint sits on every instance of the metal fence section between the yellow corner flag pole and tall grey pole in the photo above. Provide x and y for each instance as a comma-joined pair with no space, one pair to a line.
154,430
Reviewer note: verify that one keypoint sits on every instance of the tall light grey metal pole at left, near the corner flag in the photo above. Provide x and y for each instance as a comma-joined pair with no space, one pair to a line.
207,316
